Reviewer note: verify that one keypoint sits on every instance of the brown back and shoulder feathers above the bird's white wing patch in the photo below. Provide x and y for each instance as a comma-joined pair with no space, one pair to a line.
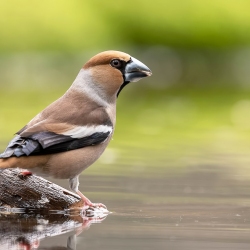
66,114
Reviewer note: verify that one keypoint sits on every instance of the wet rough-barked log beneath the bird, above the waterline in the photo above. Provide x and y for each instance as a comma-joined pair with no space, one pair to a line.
34,192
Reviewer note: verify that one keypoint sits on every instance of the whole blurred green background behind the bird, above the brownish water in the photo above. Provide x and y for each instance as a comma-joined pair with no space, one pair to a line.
194,110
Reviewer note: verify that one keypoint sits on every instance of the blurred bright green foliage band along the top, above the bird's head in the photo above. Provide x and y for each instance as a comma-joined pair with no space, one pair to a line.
80,25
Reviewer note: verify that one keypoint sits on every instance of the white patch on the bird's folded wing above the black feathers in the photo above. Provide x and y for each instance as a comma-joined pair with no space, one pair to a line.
83,131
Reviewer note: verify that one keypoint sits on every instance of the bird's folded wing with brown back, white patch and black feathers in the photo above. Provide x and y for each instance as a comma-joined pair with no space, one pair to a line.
67,124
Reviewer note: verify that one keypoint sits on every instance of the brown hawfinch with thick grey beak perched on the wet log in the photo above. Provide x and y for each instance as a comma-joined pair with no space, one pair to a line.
71,133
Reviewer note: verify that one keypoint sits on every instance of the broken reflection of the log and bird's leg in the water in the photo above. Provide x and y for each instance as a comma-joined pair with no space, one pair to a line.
26,230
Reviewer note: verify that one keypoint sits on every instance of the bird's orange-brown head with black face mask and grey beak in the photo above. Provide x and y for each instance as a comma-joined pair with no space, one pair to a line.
112,70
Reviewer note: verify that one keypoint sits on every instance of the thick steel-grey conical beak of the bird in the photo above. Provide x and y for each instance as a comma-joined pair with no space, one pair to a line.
135,70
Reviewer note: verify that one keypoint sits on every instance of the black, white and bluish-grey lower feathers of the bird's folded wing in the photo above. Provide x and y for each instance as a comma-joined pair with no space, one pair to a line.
47,142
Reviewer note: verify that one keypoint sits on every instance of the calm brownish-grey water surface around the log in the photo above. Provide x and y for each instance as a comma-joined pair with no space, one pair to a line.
202,207
